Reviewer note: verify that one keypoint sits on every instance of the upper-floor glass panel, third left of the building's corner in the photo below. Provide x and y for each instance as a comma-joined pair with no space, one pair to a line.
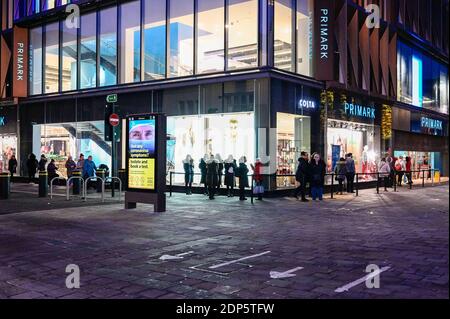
181,38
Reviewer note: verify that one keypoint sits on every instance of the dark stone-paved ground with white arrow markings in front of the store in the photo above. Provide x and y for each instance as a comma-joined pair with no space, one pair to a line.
227,248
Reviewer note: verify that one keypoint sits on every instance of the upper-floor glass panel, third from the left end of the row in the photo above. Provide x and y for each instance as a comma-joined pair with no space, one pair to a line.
69,58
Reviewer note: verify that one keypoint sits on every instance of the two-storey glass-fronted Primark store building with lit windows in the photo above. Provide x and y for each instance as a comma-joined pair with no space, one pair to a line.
254,78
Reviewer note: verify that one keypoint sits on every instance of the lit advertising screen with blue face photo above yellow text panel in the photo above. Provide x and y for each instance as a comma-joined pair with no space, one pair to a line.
141,152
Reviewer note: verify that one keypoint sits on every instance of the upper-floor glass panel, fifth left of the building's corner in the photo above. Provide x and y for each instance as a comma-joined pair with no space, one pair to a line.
130,42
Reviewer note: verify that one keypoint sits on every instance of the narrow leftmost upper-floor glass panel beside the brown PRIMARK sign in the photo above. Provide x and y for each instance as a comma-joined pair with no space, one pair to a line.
35,64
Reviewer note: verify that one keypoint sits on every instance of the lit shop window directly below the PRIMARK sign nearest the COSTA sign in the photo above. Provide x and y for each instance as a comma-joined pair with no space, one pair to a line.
362,140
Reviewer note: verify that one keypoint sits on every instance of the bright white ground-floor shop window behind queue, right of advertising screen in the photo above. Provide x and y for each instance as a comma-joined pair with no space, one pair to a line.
224,134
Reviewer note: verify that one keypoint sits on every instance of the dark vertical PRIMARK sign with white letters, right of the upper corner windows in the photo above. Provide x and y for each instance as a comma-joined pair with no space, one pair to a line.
324,39
